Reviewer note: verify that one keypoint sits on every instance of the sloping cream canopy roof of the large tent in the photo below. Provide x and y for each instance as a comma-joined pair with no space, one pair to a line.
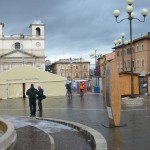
24,74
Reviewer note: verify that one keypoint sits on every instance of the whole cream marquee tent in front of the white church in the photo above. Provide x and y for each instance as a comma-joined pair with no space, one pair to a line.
15,82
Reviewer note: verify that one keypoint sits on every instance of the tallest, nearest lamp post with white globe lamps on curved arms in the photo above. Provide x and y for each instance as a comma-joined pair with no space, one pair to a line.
129,10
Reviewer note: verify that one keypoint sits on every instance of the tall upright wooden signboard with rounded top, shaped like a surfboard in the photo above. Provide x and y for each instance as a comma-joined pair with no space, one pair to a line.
112,93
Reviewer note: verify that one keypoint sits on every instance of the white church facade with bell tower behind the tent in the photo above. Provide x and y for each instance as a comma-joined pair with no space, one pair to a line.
19,49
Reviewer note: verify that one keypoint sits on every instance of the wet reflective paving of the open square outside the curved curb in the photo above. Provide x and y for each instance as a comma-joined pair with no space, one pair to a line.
91,112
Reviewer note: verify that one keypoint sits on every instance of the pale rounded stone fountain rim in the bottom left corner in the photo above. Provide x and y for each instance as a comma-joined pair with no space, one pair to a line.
9,138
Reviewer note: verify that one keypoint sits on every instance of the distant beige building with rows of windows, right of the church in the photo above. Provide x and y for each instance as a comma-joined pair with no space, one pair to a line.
72,69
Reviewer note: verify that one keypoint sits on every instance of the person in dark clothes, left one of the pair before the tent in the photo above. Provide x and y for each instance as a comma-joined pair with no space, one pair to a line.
32,94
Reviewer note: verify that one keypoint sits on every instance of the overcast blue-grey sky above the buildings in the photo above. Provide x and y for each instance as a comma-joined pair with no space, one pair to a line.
74,28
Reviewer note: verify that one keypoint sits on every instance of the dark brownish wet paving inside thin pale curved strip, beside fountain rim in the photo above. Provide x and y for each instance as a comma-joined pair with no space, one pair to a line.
26,141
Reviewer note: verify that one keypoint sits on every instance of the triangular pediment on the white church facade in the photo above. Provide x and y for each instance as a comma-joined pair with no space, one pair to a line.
17,53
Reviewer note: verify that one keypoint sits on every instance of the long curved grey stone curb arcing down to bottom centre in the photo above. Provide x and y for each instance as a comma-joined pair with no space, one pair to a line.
94,136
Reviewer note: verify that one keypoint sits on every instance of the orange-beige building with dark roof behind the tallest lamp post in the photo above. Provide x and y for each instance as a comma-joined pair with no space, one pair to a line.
141,55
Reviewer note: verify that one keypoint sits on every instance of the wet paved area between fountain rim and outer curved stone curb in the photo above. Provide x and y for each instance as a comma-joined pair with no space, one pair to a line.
33,134
